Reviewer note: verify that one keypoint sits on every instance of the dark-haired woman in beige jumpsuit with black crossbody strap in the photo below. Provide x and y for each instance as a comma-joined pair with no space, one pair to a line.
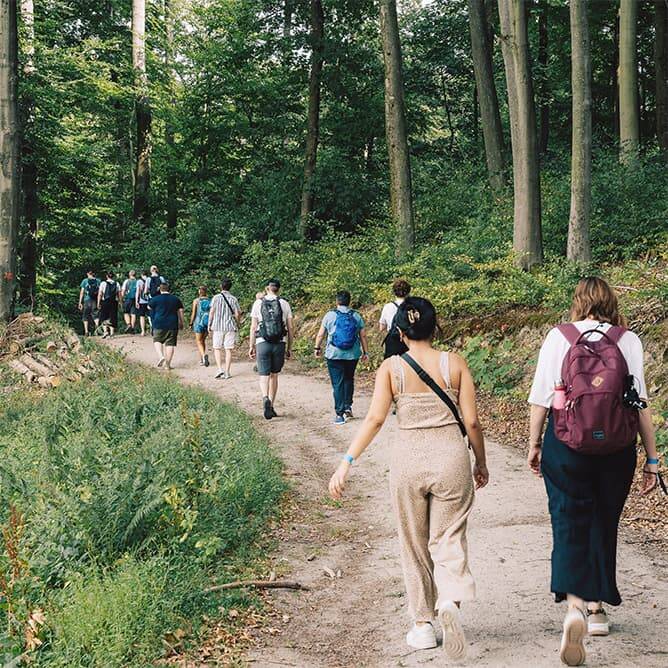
431,481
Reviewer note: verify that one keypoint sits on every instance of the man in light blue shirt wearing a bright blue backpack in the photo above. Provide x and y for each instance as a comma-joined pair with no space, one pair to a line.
346,344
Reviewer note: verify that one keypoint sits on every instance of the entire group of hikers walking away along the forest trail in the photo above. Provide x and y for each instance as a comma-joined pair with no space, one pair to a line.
589,386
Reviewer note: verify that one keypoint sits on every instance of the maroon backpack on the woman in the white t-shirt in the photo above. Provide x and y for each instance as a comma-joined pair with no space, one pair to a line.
595,420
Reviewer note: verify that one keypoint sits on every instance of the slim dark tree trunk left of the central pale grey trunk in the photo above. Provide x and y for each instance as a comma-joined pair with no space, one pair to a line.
313,130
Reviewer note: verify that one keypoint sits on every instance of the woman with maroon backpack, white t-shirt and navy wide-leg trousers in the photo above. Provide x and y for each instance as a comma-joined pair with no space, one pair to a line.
590,380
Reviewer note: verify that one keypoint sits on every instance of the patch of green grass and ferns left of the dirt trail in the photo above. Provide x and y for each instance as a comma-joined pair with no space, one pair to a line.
124,495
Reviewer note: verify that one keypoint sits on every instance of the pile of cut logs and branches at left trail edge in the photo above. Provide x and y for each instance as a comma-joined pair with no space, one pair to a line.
41,354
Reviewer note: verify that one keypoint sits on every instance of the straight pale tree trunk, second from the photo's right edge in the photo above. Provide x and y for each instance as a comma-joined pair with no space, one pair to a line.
629,122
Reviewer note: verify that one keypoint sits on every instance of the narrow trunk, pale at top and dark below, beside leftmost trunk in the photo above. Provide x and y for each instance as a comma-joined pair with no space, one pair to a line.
28,273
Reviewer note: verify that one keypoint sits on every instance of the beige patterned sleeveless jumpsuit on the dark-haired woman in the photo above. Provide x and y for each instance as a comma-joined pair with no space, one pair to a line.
431,485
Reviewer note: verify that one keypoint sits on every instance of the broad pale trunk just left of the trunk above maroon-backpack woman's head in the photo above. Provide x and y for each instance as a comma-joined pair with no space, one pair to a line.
527,233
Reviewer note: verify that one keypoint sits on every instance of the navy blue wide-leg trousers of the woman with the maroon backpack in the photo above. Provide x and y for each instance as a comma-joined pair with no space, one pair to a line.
586,496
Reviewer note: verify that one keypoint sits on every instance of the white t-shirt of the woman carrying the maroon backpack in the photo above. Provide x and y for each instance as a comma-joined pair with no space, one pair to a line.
555,347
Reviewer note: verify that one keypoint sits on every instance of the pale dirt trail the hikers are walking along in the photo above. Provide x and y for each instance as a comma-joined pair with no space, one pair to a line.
360,618
